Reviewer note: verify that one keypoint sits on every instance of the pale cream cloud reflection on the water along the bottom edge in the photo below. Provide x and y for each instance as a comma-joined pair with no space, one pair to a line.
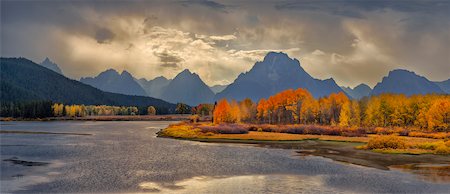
243,184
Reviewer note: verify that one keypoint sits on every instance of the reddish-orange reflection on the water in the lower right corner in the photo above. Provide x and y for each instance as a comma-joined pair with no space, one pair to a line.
429,172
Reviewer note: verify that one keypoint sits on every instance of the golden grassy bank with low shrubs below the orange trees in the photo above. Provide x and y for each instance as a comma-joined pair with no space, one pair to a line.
394,143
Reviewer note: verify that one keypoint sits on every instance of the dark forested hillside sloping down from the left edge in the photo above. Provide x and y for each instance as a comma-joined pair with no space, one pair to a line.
24,80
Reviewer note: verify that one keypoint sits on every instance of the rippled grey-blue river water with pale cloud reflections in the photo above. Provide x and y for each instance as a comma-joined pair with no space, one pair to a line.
128,157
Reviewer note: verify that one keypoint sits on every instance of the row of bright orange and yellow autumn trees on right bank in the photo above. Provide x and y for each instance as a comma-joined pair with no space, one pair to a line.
429,112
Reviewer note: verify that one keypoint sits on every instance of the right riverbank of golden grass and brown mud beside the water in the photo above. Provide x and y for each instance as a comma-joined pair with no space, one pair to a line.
339,148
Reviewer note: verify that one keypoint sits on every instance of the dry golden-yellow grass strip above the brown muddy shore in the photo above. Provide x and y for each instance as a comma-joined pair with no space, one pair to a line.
393,143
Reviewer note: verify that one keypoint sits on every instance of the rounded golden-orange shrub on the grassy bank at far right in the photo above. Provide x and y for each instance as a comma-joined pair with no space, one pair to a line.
387,142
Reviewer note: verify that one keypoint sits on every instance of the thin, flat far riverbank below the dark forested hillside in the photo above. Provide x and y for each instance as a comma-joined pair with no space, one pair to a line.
172,117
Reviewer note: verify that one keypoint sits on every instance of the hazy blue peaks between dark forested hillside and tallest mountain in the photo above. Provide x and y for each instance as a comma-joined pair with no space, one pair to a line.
186,87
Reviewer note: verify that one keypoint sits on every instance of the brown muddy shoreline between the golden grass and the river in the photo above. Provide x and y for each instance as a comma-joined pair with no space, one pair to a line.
340,151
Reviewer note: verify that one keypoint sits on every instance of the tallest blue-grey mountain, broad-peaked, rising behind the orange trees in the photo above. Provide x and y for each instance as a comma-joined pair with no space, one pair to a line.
277,72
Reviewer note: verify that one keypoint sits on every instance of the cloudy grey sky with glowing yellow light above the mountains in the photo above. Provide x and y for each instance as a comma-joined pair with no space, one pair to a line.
351,41
